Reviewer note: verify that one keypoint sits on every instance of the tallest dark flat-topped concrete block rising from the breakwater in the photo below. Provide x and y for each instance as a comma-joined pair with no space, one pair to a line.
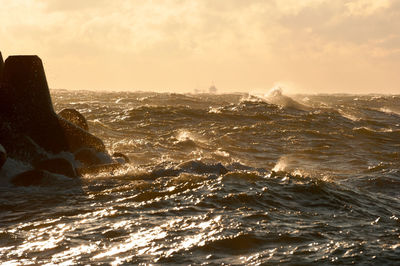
25,101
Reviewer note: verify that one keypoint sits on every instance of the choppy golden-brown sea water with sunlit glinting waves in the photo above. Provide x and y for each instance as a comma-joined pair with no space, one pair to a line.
218,179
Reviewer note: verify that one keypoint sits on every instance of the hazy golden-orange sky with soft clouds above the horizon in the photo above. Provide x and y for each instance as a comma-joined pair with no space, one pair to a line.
303,46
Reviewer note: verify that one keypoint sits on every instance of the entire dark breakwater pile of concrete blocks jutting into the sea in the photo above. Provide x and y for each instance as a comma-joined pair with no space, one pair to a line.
31,131
